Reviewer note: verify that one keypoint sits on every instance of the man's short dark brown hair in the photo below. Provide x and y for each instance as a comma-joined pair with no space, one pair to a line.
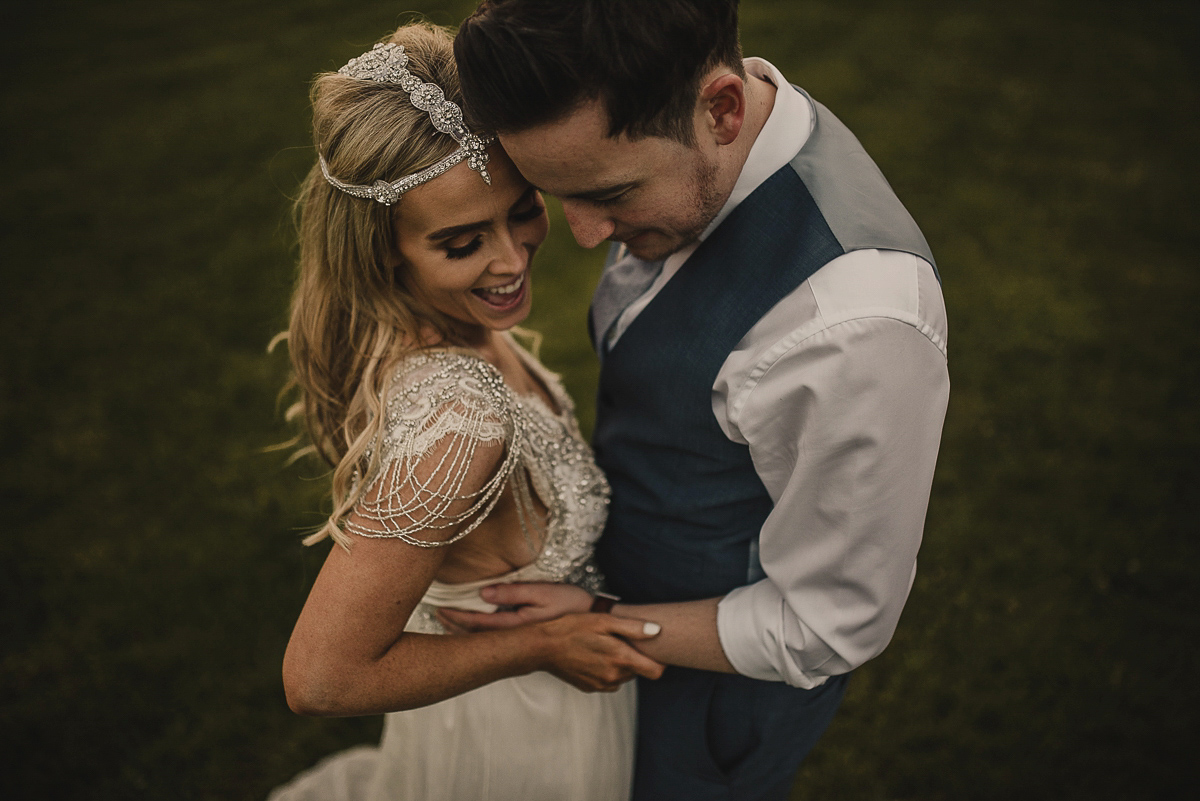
526,63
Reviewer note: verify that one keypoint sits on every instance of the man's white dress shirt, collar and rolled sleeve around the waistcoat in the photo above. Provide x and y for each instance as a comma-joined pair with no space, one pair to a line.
839,393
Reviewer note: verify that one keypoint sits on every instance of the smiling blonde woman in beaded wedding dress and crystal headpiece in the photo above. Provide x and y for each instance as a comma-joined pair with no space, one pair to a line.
458,462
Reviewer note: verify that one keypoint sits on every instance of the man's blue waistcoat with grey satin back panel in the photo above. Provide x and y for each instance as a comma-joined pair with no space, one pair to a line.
687,503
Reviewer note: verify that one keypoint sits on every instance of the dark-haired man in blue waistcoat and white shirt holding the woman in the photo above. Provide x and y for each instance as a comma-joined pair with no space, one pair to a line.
773,366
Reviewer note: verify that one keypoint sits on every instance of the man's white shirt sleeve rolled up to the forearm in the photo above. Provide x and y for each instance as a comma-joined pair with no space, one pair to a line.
844,426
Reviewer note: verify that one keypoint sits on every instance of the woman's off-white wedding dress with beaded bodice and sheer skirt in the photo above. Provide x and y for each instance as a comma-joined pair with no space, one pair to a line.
530,738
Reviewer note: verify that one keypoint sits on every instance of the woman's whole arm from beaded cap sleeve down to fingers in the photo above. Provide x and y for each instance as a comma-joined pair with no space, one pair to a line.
443,463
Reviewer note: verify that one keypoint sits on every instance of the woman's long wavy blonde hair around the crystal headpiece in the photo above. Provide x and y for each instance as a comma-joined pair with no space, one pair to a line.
352,317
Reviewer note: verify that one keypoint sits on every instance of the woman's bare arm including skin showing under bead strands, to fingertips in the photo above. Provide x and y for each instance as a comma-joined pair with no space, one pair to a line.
350,654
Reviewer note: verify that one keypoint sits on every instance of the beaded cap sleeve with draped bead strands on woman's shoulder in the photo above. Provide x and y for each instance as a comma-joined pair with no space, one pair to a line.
447,415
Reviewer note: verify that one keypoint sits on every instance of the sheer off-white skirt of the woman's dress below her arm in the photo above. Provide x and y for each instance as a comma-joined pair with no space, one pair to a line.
530,738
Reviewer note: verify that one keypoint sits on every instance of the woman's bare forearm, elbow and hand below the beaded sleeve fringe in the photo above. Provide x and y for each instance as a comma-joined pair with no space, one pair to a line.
350,655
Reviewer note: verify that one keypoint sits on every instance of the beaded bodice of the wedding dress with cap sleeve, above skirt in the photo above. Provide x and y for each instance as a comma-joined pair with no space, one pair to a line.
448,409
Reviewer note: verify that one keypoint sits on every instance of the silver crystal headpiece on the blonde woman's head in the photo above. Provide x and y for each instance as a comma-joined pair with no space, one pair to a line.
386,64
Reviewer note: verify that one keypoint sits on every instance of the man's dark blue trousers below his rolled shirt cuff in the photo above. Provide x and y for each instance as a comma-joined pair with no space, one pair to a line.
713,737
